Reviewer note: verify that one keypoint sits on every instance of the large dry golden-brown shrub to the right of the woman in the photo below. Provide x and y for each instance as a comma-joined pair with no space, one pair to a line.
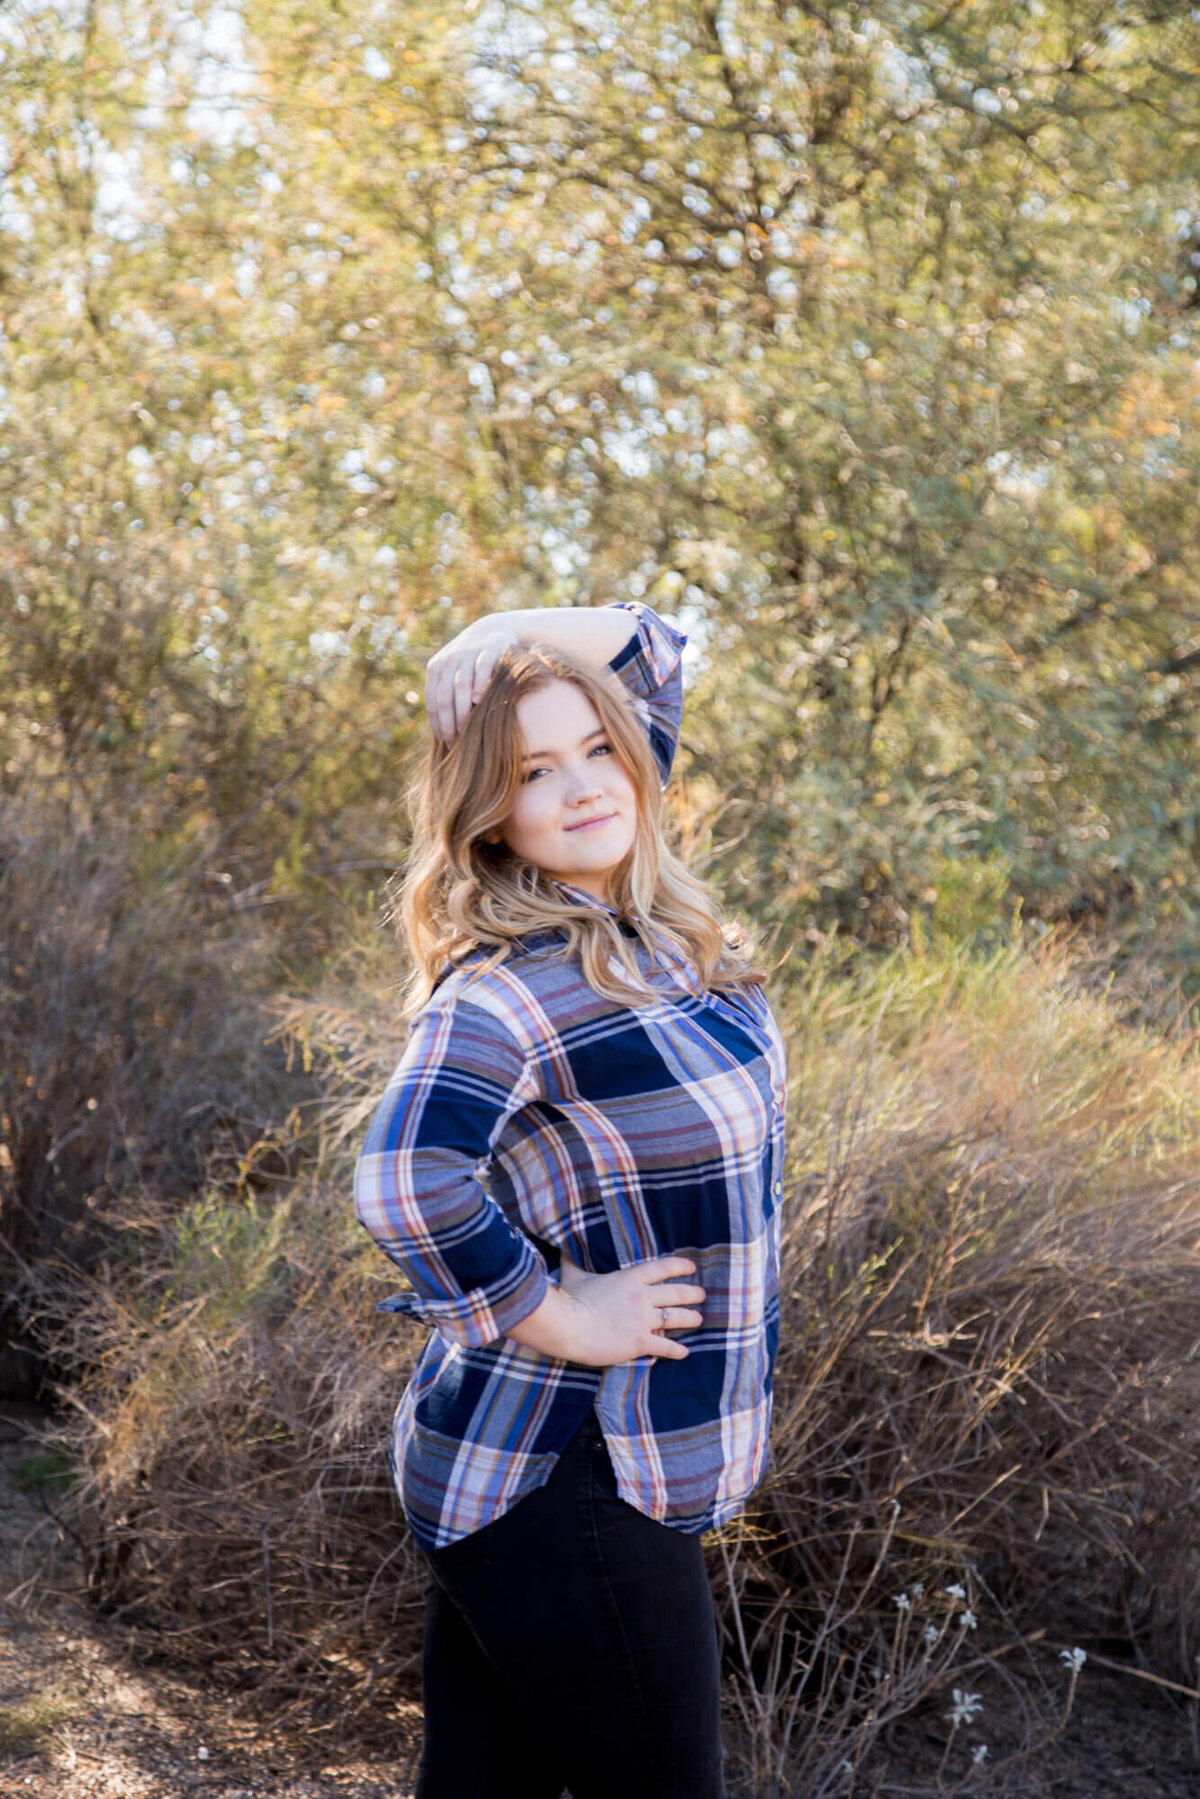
989,1372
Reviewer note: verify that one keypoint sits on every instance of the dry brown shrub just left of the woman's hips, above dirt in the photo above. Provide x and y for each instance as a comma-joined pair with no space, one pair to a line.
229,1424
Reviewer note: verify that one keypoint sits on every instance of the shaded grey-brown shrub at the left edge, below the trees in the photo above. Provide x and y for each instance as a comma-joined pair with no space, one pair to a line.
132,1046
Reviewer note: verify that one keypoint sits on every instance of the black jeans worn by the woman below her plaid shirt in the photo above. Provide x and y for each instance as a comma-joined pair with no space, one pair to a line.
571,1643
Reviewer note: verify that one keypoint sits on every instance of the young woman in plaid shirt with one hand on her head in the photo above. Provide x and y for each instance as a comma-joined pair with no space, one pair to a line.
578,1168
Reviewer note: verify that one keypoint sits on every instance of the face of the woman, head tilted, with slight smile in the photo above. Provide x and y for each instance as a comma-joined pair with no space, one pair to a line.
569,778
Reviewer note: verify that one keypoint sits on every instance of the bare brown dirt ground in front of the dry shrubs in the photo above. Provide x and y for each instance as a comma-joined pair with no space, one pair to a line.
78,1721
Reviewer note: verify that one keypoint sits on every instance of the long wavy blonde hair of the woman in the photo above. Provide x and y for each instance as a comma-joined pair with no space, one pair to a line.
463,893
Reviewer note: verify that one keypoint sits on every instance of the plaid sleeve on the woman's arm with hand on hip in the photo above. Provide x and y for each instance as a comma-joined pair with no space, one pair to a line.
416,1183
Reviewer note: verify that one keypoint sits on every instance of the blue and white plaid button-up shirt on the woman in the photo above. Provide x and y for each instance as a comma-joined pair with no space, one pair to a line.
528,1116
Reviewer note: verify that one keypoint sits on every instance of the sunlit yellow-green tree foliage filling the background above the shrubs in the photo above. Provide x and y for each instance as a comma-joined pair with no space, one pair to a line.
868,343
